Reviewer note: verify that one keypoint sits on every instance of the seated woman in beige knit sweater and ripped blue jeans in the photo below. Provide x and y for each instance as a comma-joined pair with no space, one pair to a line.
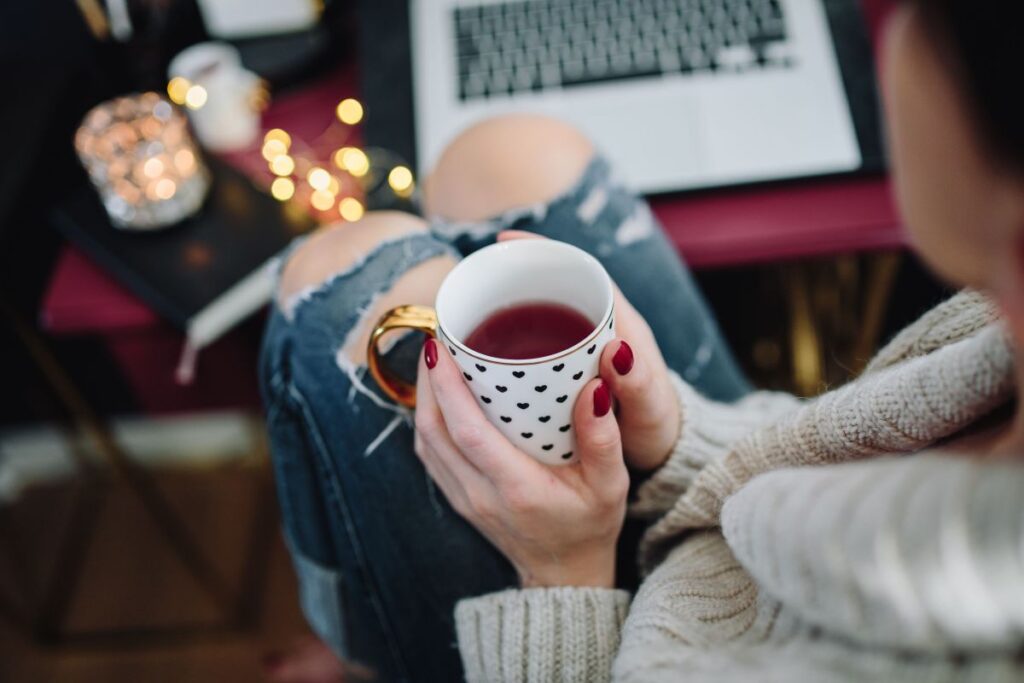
907,565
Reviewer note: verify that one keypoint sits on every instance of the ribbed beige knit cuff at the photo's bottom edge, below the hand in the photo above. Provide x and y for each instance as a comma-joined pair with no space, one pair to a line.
541,634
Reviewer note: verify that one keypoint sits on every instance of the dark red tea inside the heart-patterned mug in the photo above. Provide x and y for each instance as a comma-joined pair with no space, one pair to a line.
530,330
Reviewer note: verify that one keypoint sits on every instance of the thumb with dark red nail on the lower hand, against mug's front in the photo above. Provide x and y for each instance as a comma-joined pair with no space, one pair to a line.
599,443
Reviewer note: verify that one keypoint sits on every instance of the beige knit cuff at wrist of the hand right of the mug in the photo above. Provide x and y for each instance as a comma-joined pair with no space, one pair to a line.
709,431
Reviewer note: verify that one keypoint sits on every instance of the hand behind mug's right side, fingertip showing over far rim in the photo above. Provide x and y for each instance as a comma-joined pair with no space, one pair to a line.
632,365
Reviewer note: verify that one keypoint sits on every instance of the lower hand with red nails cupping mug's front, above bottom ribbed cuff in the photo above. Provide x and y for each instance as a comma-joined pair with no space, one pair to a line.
558,526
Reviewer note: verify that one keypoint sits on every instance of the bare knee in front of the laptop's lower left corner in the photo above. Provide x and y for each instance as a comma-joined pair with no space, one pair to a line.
503,163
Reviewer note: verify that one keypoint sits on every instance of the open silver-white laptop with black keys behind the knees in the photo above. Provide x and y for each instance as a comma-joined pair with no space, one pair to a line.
678,94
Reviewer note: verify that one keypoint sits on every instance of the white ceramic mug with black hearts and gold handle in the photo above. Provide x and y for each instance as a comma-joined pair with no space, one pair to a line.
530,401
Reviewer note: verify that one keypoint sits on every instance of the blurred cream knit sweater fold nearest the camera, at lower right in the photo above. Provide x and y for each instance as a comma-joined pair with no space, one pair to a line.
922,552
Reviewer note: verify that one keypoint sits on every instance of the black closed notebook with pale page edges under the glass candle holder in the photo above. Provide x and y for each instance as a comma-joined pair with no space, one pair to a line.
204,275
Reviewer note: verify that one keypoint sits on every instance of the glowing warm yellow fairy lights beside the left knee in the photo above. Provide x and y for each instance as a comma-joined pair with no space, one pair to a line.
332,187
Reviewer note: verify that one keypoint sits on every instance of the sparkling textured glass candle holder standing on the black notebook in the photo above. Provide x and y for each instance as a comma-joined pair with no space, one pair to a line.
141,157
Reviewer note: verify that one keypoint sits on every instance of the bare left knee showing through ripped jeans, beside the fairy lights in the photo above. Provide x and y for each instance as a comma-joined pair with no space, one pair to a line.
336,247
